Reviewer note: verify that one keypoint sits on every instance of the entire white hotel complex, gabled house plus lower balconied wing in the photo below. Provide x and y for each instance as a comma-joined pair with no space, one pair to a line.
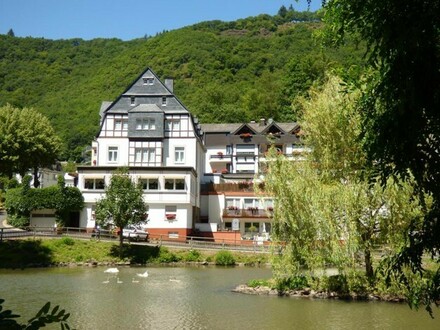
196,178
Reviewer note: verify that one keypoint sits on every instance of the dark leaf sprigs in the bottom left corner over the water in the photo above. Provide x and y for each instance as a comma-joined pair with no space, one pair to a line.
44,317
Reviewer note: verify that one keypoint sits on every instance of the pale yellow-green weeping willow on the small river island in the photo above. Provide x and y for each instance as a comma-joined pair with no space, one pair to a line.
325,211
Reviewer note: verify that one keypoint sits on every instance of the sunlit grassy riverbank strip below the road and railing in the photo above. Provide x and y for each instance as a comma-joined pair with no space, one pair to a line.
44,252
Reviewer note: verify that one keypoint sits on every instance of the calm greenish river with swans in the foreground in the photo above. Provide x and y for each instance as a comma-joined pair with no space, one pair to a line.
189,298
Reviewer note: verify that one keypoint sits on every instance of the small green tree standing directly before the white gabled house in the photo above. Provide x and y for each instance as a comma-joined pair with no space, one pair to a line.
122,204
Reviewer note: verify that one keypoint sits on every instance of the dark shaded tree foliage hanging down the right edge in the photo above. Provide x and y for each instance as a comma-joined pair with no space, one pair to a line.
401,121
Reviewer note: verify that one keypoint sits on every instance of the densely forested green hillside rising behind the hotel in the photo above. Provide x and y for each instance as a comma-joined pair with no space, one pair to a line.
223,71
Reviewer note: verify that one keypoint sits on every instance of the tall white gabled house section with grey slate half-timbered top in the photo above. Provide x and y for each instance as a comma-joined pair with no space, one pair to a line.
149,131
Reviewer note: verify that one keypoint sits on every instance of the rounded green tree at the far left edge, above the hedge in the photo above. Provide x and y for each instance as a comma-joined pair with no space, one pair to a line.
27,141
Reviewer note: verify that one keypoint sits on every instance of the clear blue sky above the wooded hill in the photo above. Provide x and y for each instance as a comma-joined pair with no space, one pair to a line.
125,19
